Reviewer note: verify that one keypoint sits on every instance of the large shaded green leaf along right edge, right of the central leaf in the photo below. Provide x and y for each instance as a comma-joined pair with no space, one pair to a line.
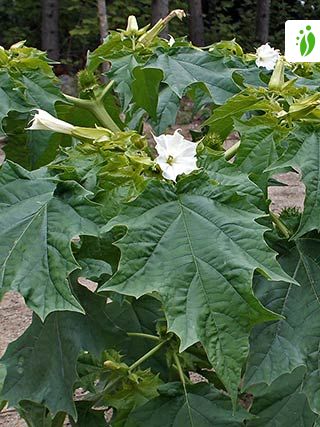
279,348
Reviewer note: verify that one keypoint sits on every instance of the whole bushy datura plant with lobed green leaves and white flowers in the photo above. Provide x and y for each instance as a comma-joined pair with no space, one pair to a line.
165,290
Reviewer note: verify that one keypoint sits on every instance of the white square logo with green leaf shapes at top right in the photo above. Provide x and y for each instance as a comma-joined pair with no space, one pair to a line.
302,42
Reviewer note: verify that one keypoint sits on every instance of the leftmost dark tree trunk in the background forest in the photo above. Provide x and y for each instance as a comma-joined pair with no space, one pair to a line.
50,28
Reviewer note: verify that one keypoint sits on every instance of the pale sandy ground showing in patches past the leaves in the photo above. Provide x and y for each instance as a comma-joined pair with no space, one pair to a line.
15,316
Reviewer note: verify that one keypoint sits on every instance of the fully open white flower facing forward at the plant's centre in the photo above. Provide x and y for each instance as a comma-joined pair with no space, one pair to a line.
176,155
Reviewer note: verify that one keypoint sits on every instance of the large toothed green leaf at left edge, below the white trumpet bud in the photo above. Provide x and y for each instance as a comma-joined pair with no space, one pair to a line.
38,220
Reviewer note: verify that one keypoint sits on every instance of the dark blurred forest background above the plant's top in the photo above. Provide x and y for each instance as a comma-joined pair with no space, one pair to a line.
68,28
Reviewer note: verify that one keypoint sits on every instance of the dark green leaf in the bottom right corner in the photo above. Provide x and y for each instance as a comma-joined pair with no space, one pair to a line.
282,404
